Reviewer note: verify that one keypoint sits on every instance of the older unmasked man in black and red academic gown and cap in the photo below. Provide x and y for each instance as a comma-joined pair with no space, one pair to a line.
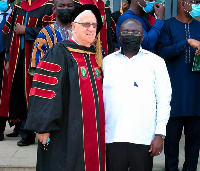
66,100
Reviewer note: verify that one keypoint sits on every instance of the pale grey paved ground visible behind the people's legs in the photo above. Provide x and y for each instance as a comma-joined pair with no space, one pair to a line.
15,158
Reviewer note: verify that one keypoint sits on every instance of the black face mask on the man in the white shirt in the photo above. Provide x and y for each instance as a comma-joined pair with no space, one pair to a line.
131,43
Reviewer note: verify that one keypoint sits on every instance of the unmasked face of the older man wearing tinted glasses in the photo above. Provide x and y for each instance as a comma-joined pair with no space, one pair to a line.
85,29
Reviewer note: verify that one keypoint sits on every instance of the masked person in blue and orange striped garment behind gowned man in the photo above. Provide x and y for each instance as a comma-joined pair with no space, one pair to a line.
56,32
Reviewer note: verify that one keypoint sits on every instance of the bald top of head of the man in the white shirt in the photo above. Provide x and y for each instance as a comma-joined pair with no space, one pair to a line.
130,25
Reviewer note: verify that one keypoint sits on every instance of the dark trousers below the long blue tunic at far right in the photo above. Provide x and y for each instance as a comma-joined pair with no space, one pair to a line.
192,142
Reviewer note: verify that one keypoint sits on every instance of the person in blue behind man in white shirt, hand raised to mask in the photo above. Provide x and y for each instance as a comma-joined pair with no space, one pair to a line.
136,11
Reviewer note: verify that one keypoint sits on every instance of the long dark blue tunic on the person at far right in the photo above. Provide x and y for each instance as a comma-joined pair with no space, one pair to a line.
179,57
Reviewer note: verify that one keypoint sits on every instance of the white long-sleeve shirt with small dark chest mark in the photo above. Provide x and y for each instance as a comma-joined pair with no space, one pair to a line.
137,95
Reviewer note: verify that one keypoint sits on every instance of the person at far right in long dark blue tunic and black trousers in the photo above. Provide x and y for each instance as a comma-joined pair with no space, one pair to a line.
178,43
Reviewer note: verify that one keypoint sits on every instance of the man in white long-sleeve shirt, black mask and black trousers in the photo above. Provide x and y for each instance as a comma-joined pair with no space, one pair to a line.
137,95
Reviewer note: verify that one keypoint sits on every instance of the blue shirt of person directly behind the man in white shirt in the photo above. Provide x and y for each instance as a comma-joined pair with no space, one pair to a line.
151,33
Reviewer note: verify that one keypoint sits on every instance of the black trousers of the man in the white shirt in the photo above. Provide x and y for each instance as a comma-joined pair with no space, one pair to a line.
123,156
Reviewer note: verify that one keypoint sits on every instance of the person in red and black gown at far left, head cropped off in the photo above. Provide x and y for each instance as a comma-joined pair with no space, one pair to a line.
21,29
